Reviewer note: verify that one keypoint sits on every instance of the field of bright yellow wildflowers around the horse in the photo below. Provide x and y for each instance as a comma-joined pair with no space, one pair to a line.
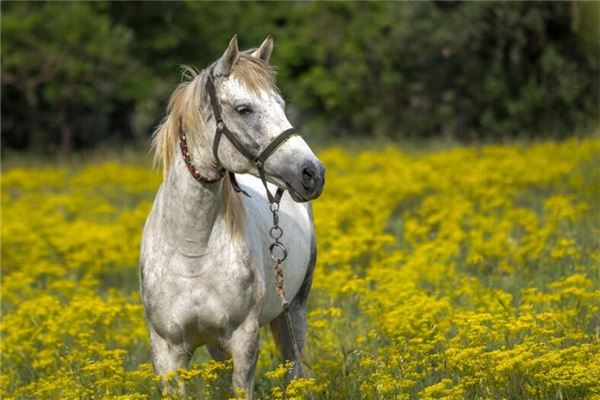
469,273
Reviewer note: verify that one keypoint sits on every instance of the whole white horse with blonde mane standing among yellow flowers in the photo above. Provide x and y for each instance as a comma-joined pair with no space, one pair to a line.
206,272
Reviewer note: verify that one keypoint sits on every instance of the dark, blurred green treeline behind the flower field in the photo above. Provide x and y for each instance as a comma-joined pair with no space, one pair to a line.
77,74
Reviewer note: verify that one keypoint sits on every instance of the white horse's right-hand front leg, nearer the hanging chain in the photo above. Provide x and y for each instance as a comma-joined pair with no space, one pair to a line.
243,348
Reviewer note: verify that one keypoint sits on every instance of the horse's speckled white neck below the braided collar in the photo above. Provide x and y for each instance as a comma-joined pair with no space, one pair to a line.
190,209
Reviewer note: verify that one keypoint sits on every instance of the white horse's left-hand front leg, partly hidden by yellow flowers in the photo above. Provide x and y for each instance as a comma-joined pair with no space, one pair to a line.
167,358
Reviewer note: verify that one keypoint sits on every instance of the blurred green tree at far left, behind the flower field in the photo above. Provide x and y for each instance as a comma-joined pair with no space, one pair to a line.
64,68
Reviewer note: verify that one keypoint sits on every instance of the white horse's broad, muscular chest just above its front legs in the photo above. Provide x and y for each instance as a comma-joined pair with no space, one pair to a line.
201,307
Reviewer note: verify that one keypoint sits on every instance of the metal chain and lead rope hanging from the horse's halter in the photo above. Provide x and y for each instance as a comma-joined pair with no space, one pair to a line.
278,255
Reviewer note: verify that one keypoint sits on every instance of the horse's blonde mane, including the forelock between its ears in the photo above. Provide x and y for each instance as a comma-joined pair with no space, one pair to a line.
190,103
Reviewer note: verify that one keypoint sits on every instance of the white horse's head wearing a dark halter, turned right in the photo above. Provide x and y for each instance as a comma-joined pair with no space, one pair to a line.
251,110
